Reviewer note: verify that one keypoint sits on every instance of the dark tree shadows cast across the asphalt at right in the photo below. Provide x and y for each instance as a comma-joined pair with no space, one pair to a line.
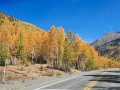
107,78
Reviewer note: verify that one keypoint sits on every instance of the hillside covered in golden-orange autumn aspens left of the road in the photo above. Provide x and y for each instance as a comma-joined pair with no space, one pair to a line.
23,43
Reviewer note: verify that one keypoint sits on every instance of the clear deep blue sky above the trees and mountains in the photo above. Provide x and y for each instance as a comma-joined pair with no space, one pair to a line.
91,19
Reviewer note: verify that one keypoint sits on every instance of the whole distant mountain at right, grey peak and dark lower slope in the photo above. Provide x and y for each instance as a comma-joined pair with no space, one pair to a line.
109,45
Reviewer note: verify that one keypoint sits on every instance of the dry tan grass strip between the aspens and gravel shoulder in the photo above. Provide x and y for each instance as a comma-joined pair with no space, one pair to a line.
30,71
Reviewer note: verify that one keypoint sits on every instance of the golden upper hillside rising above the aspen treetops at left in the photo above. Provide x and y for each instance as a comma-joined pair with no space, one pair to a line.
11,22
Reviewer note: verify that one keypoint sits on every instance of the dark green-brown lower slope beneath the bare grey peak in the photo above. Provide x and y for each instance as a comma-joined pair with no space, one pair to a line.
111,49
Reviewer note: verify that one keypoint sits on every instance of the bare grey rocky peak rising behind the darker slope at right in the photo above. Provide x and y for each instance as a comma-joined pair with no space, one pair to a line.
106,38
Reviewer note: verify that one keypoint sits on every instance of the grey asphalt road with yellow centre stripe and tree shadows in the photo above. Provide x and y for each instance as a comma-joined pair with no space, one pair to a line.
108,79
